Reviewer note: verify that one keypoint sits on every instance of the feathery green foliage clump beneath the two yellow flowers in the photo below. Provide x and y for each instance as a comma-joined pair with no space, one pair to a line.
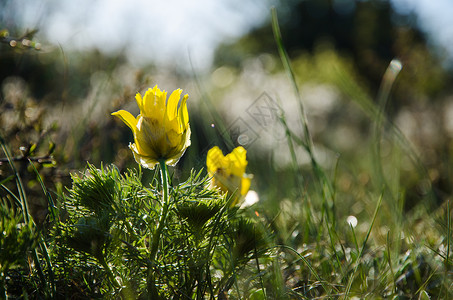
109,221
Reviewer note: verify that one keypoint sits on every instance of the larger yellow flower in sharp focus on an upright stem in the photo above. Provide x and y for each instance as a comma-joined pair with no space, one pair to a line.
161,130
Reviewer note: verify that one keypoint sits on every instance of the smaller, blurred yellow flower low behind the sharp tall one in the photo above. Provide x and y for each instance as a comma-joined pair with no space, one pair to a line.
228,172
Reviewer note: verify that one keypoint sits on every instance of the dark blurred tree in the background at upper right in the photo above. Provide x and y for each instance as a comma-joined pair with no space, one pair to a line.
370,32
